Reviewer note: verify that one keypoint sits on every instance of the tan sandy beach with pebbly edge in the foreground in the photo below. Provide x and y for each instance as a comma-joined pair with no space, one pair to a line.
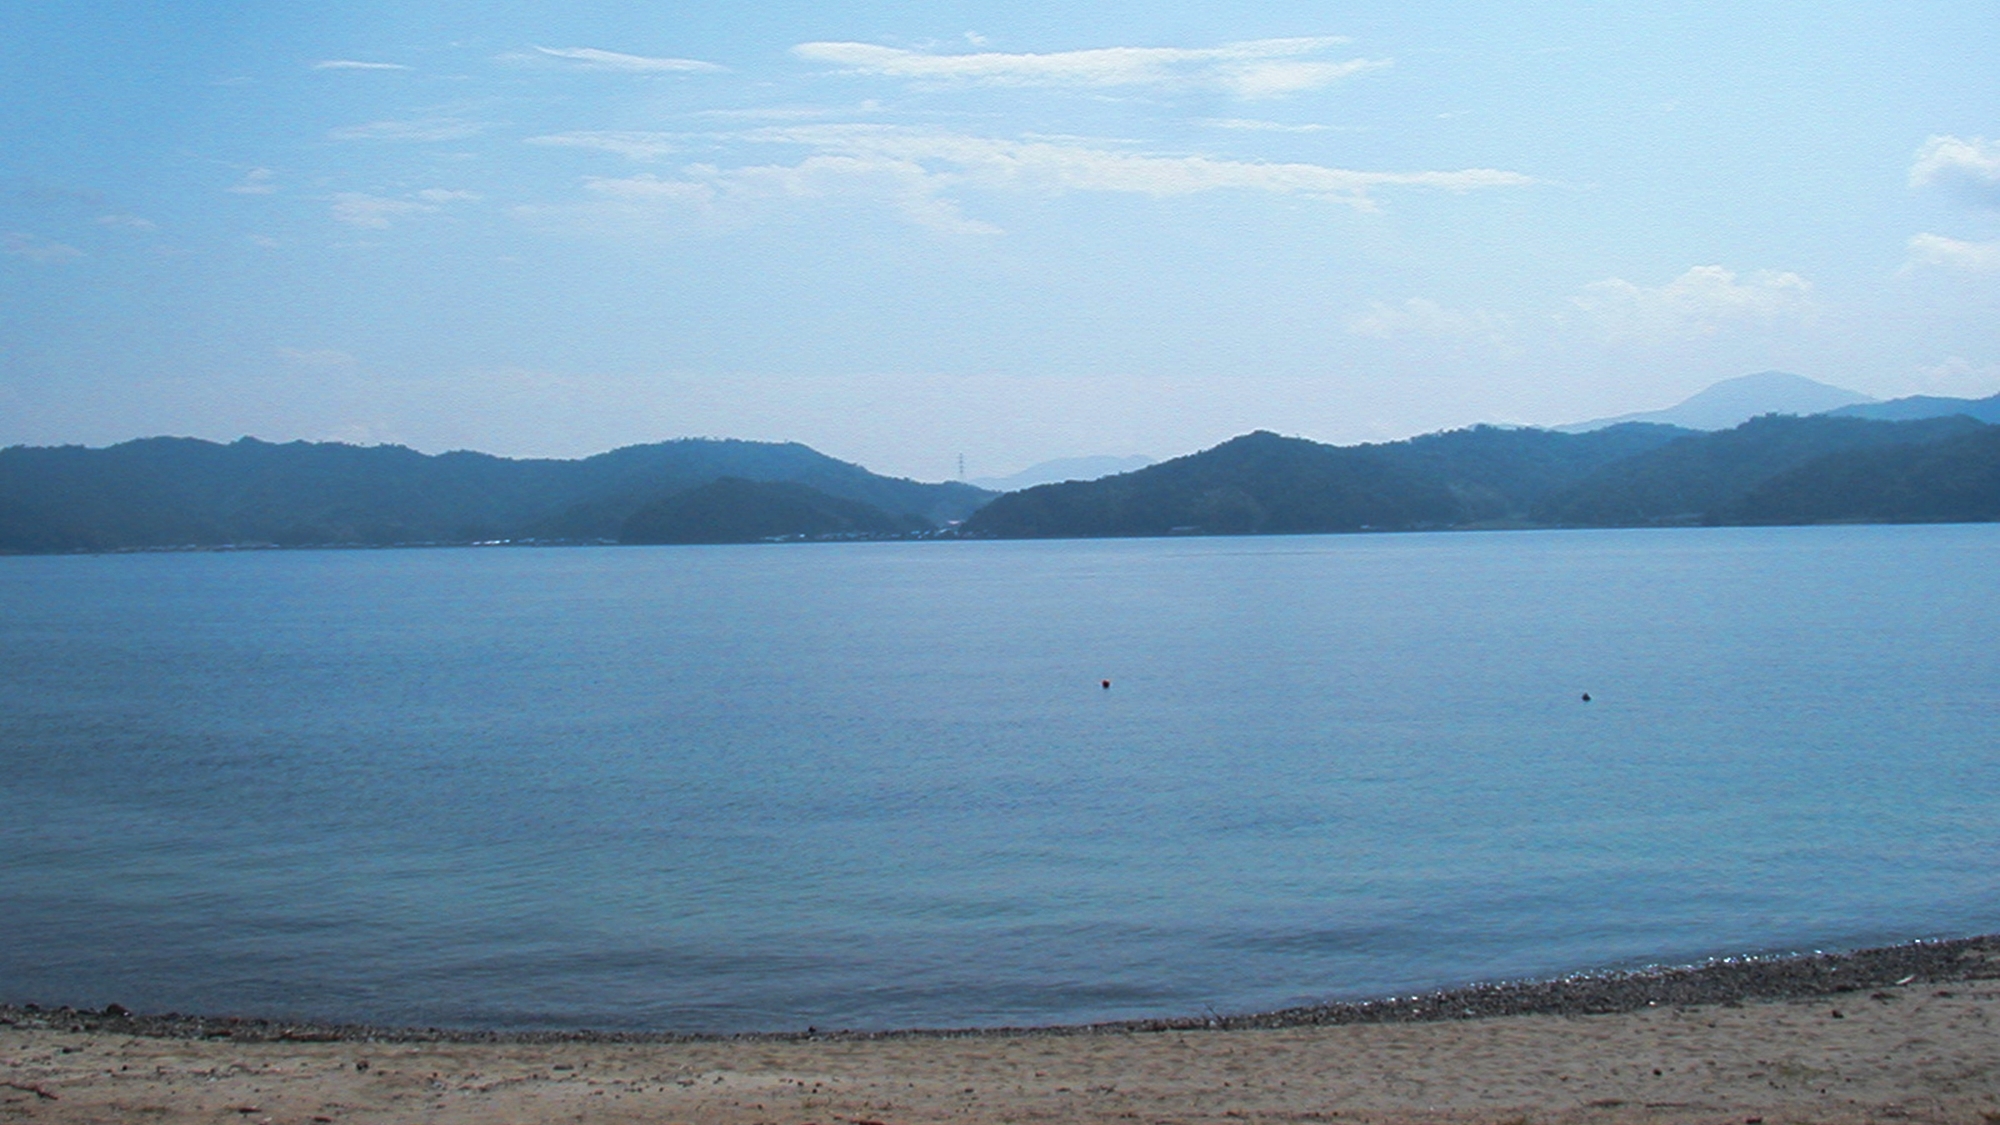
1839,1048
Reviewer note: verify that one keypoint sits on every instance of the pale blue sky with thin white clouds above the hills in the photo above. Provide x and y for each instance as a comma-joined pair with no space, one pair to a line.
1005,233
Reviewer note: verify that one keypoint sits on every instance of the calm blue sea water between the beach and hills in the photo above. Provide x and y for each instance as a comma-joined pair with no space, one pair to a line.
881,786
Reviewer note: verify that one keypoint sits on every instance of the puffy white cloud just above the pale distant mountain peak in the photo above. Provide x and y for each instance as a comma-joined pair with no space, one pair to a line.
1699,303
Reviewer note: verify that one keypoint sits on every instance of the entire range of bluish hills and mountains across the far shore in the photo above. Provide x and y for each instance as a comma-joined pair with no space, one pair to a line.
1909,459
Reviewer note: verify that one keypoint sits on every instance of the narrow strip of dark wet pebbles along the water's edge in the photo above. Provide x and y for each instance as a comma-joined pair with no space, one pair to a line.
1721,982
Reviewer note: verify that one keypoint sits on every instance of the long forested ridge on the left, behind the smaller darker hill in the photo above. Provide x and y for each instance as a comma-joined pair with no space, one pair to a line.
185,491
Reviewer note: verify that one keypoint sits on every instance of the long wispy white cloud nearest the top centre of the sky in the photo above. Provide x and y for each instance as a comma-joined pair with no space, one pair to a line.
1255,69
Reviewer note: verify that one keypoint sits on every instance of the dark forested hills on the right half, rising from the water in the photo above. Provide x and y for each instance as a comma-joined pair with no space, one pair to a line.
1775,469
